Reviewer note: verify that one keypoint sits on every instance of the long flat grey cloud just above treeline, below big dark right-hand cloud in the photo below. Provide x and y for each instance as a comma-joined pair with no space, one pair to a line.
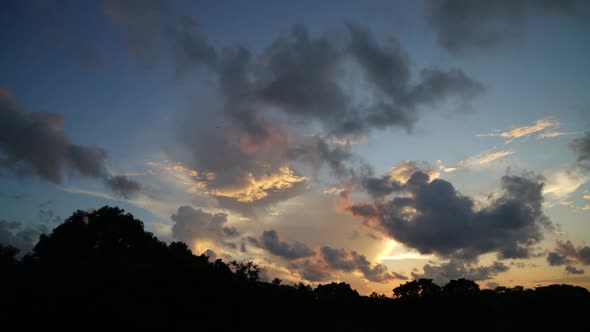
454,269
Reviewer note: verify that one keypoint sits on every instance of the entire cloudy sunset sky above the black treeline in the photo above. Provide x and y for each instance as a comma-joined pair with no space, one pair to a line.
370,142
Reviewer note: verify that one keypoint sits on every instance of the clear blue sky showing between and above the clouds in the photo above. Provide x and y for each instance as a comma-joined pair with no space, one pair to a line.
120,107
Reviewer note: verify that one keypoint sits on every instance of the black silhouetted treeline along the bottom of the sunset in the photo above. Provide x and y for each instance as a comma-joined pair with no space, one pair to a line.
103,270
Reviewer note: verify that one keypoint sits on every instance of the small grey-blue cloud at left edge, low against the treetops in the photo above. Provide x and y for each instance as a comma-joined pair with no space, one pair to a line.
14,233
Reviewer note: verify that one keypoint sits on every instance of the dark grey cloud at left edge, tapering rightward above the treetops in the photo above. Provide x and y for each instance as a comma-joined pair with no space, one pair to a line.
34,144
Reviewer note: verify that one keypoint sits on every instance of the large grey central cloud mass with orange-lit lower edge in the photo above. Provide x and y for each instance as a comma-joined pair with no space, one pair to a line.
297,78
